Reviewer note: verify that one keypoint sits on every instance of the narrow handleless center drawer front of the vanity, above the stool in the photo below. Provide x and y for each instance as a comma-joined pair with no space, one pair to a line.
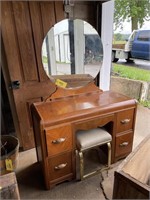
93,123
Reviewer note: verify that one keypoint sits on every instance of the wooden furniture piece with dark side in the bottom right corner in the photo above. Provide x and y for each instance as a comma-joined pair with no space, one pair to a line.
132,179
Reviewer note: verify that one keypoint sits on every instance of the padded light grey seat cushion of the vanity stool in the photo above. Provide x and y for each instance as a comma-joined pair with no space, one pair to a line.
90,138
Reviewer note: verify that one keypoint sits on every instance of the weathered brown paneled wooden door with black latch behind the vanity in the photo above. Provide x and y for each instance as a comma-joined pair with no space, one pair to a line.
24,25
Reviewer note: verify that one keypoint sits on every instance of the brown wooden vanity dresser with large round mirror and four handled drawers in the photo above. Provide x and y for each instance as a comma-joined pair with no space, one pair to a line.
78,104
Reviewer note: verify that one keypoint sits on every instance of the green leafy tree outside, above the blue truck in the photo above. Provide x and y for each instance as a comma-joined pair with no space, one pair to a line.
136,11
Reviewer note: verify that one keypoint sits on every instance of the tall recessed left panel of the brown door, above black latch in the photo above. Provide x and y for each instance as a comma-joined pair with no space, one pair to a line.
25,41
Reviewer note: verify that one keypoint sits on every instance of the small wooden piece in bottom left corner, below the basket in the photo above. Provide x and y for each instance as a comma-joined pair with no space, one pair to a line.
9,186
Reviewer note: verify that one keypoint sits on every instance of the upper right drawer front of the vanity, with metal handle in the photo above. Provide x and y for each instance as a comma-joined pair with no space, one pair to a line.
125,120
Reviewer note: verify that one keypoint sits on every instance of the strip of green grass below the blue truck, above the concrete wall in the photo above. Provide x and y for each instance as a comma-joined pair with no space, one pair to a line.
131,72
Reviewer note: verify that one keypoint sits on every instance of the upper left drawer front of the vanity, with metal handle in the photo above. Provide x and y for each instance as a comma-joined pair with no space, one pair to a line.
58,139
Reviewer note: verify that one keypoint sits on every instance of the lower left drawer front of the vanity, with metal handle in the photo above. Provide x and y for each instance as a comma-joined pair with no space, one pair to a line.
60,166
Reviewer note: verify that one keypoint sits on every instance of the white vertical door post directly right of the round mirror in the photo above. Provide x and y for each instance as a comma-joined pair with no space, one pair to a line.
106,36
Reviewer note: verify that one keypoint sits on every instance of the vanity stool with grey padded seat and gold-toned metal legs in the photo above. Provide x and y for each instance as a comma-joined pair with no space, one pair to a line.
89,139
